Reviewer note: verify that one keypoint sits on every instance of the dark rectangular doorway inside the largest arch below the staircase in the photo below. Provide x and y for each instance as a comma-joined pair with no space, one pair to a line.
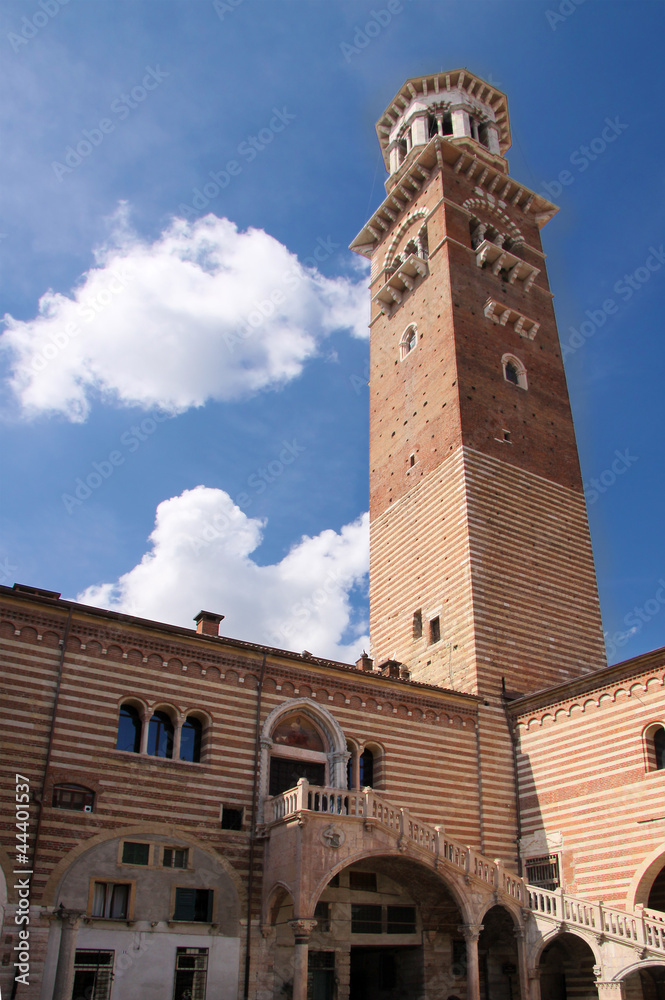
386,973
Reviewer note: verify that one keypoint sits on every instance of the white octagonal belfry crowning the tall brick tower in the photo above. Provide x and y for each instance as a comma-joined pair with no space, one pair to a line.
457,105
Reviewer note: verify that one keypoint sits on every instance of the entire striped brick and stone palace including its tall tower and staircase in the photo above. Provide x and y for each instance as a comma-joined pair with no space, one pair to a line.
474,810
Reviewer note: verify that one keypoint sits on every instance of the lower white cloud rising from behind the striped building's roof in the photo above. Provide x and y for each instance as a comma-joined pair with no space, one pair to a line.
200,559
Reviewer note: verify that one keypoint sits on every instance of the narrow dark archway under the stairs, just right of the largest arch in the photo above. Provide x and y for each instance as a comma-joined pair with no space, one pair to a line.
498,957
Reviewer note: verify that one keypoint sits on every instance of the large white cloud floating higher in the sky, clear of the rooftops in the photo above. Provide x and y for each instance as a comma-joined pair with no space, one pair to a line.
205,312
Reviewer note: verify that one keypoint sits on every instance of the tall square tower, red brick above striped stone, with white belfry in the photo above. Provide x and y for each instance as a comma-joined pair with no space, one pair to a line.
481,563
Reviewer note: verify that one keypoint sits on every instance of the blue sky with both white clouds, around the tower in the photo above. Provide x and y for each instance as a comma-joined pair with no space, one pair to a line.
200,341
